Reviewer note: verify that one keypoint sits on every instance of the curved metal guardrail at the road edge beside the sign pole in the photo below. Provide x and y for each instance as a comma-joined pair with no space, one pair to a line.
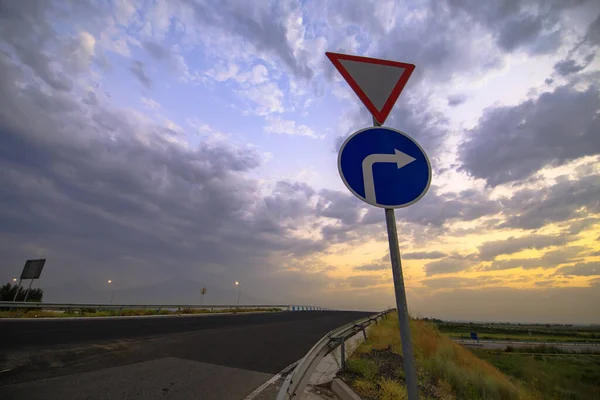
294,384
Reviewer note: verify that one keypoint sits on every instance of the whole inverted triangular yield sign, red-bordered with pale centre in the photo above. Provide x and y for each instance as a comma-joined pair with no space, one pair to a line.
377,83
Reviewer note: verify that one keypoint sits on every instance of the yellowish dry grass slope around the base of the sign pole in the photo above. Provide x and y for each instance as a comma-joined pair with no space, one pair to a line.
446,370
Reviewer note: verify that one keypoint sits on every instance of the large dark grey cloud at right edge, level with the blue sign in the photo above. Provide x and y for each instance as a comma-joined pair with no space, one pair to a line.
511,143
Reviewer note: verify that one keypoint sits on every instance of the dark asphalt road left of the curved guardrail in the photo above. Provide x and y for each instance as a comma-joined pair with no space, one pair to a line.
188,357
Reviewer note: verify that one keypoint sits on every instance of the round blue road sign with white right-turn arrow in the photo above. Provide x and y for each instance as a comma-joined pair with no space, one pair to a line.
384,167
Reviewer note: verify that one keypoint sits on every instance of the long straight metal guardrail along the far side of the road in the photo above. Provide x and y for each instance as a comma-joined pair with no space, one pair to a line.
158,307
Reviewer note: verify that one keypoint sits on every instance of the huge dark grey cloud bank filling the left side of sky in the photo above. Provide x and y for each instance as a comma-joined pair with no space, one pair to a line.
103,185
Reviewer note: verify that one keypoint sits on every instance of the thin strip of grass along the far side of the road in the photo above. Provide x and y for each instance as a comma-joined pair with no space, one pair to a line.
19,313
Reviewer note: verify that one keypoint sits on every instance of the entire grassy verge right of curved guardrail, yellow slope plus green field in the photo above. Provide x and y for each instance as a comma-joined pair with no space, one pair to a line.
447,370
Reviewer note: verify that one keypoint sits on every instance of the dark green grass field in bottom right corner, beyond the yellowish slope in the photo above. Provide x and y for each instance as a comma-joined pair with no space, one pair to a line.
552,376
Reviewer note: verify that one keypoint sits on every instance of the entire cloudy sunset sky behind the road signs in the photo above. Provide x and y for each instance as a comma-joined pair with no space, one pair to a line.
174,145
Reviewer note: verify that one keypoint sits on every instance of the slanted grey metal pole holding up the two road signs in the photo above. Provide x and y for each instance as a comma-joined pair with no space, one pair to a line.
408,355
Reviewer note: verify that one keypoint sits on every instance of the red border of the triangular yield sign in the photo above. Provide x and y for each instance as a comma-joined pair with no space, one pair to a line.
379,115
